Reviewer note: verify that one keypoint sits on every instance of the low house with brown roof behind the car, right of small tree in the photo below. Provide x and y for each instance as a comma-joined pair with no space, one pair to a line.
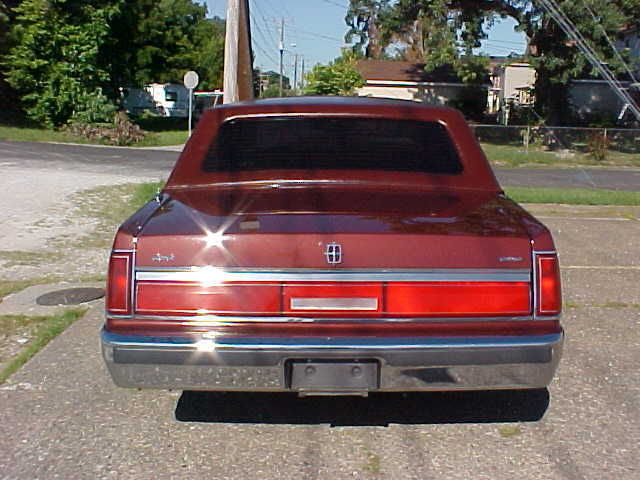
410,81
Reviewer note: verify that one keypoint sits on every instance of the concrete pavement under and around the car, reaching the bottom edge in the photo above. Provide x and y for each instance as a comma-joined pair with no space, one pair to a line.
62,417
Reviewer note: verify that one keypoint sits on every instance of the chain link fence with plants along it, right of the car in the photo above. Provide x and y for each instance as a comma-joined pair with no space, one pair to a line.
561,138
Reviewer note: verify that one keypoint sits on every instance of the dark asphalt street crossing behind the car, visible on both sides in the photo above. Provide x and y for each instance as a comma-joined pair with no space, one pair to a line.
145,162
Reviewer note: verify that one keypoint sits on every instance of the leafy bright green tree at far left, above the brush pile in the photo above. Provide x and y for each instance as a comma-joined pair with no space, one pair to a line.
55,64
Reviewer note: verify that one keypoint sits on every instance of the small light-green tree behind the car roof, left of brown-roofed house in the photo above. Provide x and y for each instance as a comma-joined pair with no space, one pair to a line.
340,77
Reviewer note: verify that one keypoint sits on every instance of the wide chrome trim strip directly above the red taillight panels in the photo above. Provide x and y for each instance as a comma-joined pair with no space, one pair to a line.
207,274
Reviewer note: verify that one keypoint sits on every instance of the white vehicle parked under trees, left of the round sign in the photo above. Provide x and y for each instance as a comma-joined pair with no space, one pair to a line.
166,99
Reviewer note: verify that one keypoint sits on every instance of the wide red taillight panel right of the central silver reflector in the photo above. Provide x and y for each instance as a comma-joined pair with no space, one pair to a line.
458,299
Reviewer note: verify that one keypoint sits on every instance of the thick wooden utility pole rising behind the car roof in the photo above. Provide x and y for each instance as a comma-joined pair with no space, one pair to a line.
238,58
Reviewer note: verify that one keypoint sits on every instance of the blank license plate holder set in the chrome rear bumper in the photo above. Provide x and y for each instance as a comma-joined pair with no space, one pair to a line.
334,376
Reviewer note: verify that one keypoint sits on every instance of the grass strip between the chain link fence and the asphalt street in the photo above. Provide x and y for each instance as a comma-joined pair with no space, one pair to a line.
517,156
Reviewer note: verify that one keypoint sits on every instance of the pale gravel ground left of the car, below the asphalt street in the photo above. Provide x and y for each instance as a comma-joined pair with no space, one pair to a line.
44,222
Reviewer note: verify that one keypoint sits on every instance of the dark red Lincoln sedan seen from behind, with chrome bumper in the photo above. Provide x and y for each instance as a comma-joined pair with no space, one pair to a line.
332,246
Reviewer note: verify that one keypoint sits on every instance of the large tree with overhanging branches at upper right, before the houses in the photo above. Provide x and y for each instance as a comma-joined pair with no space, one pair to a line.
447,31
